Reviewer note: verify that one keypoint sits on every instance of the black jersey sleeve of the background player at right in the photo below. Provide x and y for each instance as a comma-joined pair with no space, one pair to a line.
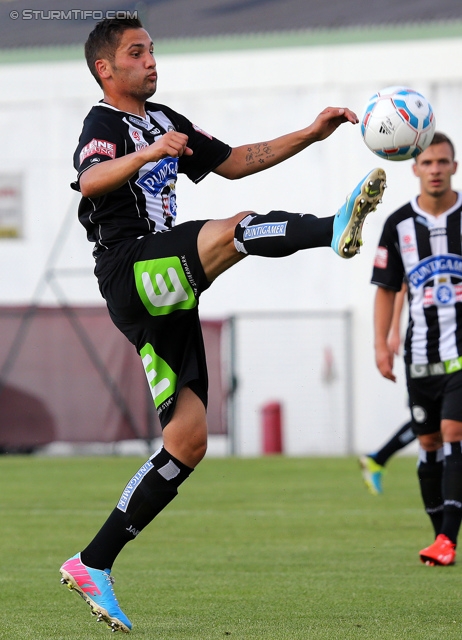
388,271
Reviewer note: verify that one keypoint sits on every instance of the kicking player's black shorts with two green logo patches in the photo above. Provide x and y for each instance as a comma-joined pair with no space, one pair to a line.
152,286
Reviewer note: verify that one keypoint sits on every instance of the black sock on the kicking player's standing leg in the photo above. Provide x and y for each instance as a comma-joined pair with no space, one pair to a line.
149,491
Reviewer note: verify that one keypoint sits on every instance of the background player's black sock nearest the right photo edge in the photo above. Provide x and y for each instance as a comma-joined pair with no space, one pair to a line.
452,490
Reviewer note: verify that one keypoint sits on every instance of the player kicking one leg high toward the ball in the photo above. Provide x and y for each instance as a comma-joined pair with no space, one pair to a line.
151,272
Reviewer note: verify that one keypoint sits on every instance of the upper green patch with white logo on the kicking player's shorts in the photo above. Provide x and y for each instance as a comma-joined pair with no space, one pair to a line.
163,286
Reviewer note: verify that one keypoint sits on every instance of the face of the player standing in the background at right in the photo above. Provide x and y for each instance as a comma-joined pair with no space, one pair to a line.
435,167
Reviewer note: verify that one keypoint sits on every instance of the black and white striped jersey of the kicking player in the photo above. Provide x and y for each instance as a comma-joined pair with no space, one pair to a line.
147,202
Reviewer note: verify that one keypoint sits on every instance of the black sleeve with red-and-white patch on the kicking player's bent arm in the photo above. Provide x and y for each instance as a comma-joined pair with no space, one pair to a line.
100,140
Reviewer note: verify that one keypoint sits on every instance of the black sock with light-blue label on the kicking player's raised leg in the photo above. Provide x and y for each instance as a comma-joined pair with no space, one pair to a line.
279,233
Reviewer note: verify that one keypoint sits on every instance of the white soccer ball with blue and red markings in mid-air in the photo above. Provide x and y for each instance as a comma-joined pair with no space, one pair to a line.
398,123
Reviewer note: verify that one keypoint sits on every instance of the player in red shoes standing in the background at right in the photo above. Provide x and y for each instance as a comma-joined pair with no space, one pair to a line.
421,242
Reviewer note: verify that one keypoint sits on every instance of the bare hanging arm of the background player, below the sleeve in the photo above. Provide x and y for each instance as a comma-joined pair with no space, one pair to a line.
383,314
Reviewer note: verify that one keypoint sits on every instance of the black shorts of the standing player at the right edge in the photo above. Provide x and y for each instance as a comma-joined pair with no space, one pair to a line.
434,398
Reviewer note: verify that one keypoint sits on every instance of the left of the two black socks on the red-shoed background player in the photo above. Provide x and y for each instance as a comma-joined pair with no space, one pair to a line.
430,473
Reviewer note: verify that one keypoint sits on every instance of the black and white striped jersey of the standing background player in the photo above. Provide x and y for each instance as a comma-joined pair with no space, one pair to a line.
425,251
